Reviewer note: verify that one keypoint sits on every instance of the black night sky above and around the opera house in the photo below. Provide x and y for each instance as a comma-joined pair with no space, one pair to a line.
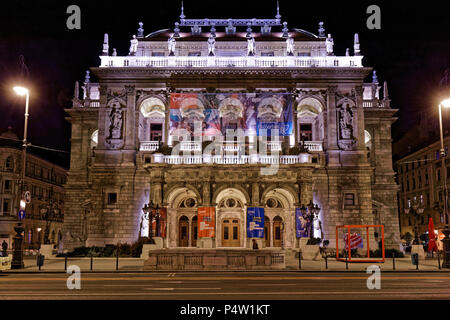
411,51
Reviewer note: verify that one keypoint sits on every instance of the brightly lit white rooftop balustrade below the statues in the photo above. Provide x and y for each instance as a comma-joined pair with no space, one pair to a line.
229,62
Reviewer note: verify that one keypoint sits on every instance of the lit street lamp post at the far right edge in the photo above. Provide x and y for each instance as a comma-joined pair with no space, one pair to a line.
446,231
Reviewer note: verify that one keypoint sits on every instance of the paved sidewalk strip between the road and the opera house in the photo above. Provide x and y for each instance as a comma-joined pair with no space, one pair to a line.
136,265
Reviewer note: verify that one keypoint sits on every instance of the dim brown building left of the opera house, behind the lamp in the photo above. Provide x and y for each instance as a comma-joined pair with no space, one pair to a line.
45,182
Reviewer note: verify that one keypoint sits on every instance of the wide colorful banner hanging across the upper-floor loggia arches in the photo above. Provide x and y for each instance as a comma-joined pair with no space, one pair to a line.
214,113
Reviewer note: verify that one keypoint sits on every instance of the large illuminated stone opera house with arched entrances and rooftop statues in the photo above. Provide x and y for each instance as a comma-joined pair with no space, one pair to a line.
264,94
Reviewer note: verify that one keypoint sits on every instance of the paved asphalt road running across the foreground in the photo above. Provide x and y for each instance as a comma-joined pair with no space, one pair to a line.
225,286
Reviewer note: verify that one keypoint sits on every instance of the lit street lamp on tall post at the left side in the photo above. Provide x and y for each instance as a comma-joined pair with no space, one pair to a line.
17,261
